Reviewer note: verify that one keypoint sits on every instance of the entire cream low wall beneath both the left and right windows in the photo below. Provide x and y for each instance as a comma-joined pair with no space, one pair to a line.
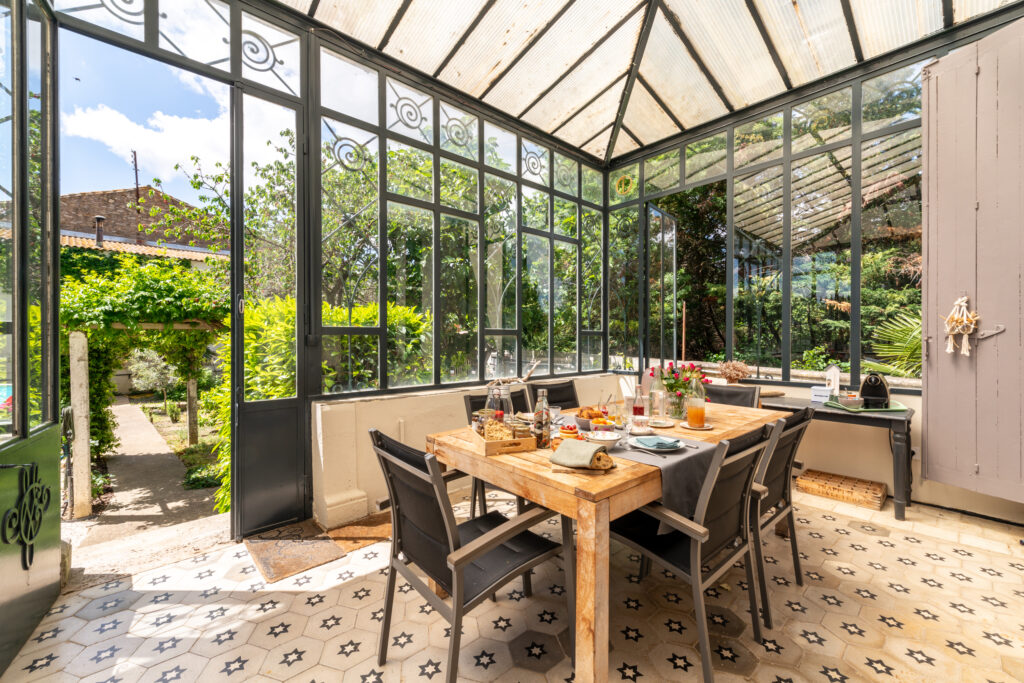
348,481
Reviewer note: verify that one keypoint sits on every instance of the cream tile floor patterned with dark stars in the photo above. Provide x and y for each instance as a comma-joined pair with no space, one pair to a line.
938,597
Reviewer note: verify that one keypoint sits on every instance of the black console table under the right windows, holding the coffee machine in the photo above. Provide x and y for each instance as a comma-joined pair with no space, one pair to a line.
899,425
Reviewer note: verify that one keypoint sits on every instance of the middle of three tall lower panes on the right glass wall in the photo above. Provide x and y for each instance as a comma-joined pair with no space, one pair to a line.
821,239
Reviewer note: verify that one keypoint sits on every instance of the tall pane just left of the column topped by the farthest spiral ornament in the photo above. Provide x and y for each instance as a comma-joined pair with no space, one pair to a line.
500,235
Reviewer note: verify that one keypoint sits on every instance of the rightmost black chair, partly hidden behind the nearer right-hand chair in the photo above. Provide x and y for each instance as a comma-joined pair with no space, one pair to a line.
775,475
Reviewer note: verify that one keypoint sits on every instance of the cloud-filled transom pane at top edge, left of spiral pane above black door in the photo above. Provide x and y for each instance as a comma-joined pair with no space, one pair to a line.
198,30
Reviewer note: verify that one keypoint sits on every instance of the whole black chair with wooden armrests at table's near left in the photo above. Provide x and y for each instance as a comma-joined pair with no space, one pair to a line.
471,561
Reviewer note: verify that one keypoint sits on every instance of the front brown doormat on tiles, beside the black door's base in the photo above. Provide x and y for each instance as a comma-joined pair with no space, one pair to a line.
290,550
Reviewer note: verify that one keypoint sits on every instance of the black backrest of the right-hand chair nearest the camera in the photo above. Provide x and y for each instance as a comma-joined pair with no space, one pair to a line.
726,498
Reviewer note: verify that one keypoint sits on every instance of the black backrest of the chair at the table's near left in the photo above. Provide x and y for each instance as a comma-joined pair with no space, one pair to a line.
423,526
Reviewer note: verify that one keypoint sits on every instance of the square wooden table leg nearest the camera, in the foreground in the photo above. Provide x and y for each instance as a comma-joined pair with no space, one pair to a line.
592,591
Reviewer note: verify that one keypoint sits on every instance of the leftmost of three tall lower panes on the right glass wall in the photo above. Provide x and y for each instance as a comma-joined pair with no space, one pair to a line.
757,270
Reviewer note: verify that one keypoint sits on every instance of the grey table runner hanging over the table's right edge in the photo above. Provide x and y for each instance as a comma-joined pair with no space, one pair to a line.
684,474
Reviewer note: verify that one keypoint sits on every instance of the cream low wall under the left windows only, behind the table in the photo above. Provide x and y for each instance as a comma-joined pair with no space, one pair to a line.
348,481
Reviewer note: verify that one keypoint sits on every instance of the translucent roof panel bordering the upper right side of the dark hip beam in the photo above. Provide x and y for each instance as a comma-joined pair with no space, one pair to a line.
672,73
